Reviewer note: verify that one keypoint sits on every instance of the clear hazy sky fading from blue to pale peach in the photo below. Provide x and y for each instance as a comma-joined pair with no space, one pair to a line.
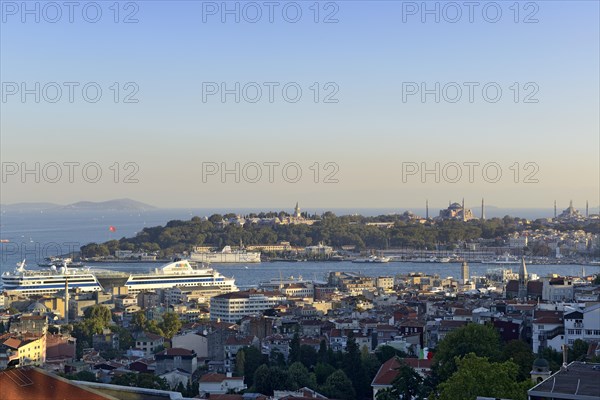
369,123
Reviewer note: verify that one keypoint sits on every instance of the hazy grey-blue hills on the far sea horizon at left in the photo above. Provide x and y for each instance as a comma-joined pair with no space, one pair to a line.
110,205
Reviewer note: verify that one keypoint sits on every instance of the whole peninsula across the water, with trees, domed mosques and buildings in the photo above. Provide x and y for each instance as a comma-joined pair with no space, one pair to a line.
455,229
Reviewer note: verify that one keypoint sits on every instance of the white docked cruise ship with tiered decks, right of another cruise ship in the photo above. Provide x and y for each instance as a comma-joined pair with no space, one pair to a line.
179,273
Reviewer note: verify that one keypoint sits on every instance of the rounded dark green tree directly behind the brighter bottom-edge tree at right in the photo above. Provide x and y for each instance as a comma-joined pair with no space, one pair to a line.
483,340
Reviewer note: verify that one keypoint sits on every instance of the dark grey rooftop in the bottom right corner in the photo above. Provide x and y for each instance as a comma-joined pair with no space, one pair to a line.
580,381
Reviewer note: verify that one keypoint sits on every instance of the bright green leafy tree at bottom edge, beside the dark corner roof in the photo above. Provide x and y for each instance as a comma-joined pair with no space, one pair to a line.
476,376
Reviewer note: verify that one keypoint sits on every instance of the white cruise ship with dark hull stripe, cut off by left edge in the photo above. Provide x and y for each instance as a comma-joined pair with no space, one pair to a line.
49,281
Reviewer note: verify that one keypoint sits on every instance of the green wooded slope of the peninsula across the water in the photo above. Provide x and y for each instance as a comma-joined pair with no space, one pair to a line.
179,236
